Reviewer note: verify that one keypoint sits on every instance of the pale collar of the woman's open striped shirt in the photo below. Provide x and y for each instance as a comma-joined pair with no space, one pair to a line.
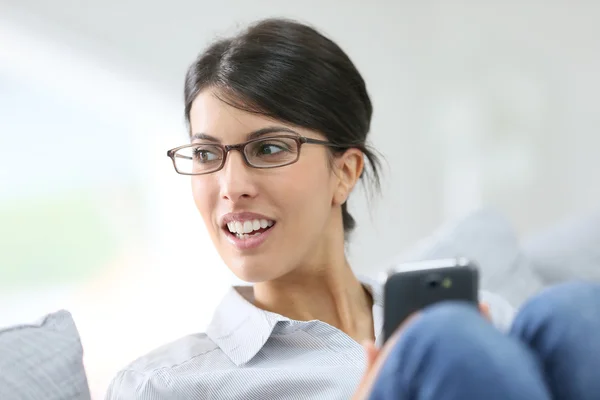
241,329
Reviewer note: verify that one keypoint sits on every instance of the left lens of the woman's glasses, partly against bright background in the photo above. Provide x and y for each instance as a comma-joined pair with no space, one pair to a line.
199,159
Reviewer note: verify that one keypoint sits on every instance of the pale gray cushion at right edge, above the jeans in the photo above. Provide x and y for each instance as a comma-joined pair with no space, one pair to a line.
568,250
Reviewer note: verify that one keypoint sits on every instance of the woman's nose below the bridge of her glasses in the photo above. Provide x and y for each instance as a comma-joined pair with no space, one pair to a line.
236,179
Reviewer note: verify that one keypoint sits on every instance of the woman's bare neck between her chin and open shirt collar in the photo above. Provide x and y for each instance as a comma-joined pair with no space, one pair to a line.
326,291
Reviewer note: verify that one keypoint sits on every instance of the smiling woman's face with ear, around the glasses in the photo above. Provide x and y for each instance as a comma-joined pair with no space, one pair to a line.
266,222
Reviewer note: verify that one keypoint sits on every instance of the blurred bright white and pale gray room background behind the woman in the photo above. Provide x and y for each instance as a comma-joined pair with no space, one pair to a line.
476,103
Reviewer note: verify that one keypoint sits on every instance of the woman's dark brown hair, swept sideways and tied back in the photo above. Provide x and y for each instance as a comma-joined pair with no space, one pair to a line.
290,72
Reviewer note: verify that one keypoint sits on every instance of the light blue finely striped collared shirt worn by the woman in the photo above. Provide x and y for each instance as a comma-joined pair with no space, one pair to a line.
248,353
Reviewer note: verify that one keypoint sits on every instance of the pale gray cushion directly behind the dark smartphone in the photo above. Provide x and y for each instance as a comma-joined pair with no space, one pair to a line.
487,238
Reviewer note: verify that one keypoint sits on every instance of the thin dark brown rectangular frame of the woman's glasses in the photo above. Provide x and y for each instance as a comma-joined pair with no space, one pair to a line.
300,140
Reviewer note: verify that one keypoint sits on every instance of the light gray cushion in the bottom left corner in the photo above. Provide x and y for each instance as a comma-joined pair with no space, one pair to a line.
43,361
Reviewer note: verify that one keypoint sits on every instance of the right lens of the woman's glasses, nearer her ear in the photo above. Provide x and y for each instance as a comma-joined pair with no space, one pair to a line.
272,152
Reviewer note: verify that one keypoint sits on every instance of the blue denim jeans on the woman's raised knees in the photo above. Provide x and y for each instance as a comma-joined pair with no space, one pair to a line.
450,353
